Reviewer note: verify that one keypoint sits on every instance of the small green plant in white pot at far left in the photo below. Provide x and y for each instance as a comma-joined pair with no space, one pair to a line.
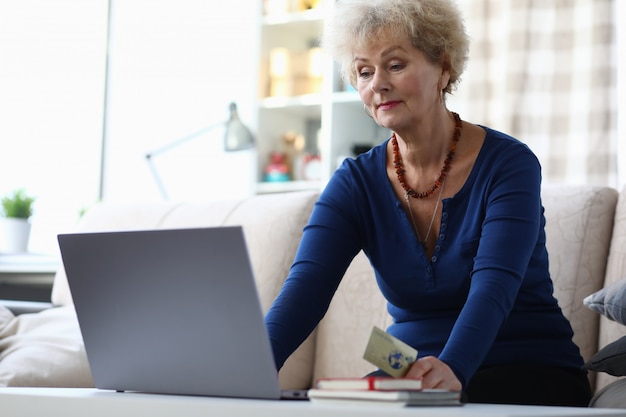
17,208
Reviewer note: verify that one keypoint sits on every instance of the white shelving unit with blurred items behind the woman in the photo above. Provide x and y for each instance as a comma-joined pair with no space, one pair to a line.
332,120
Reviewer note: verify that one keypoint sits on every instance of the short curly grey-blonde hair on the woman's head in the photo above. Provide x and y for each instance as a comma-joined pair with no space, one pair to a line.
434,27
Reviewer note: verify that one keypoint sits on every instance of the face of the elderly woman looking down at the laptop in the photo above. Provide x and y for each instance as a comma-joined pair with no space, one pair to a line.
397,83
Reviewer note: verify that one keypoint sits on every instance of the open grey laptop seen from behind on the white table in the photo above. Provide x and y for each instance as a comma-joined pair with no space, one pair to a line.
171,312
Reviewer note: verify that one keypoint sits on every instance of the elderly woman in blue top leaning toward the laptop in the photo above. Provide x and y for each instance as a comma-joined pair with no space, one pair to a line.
449,214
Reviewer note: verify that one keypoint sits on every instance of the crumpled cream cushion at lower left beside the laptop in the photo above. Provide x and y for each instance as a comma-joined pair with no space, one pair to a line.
42,350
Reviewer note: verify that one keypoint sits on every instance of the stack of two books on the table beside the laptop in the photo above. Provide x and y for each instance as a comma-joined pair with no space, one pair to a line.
381,391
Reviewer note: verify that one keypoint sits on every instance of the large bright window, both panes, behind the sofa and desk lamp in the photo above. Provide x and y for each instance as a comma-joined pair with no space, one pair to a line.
174,67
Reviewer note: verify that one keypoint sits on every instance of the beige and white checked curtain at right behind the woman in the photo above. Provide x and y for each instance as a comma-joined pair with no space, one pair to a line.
546,73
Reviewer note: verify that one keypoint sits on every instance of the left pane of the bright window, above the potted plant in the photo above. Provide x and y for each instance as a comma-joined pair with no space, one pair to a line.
51,102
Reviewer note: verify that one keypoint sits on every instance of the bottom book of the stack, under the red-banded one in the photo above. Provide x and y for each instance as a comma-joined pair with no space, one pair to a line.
399,398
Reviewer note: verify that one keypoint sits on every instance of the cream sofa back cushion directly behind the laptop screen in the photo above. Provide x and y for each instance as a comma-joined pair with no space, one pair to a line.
272,225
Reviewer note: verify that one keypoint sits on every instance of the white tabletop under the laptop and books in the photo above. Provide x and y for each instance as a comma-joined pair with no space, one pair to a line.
81,402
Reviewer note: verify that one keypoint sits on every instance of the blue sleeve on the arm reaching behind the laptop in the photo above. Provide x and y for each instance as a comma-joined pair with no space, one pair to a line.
328,245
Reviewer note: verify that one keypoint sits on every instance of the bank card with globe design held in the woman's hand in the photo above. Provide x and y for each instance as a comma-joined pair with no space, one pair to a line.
389,353
